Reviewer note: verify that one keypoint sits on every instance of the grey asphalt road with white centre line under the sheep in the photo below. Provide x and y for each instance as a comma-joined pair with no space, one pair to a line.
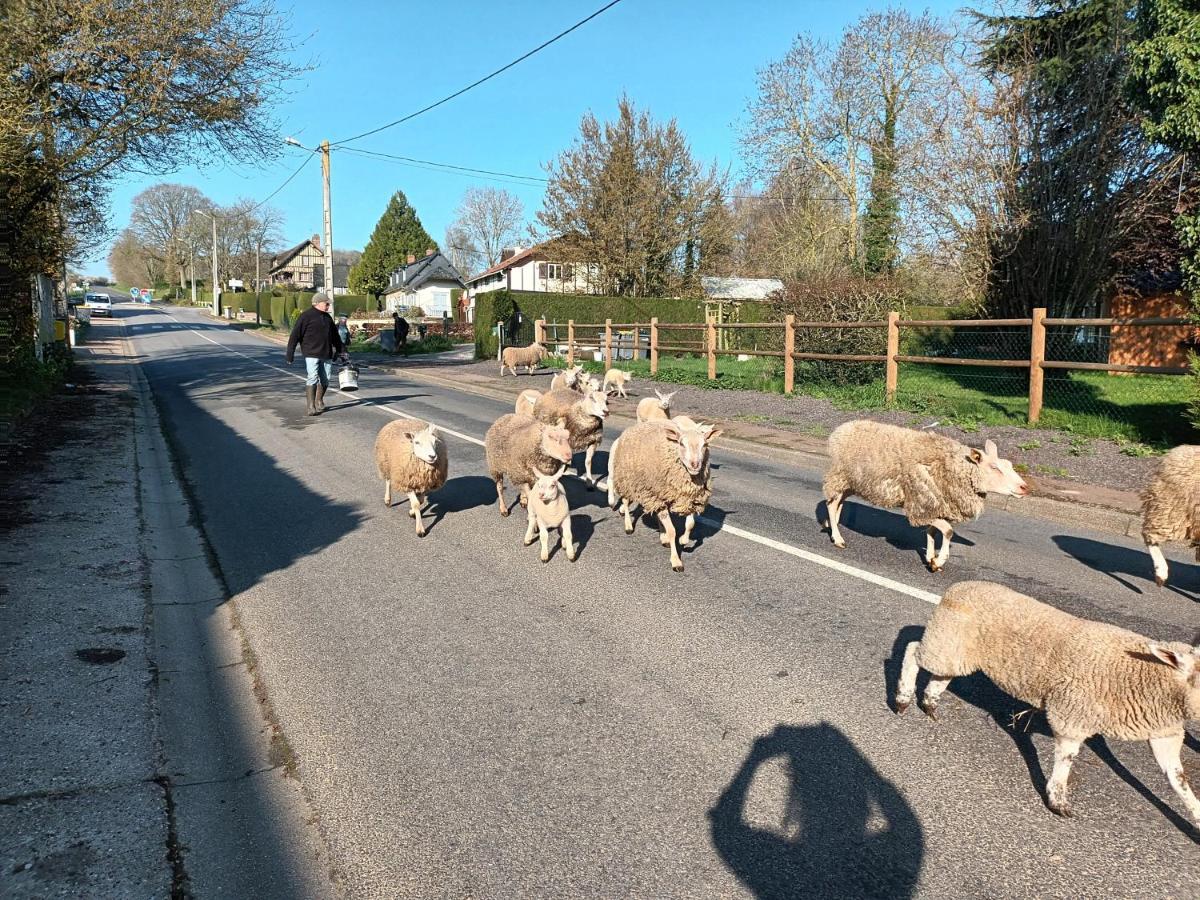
472,723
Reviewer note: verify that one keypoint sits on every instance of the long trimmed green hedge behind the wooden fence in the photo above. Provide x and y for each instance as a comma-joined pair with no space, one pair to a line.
497,305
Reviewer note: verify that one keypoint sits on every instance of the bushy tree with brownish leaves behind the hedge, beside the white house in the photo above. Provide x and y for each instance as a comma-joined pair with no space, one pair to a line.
631,206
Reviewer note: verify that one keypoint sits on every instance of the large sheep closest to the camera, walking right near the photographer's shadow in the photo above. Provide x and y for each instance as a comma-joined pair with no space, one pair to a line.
1089,677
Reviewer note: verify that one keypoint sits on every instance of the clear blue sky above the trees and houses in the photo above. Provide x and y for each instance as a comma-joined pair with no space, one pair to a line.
376,62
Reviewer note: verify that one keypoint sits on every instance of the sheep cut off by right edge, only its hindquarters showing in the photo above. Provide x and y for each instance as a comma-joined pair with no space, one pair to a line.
1171,506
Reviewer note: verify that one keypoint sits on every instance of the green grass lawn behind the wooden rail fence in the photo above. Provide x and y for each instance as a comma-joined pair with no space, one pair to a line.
1144,410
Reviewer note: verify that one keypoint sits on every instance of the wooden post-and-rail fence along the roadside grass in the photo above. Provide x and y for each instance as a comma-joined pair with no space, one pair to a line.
711,346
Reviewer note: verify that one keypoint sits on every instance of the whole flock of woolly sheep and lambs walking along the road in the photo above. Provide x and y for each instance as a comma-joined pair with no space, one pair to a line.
1090,679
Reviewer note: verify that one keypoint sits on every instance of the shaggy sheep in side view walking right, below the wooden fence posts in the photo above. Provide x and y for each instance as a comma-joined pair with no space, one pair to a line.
937,481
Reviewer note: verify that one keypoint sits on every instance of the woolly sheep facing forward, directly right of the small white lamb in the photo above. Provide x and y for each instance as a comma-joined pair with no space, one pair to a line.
663,467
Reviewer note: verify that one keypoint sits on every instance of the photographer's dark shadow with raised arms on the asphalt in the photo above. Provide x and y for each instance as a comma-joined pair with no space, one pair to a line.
845,831
